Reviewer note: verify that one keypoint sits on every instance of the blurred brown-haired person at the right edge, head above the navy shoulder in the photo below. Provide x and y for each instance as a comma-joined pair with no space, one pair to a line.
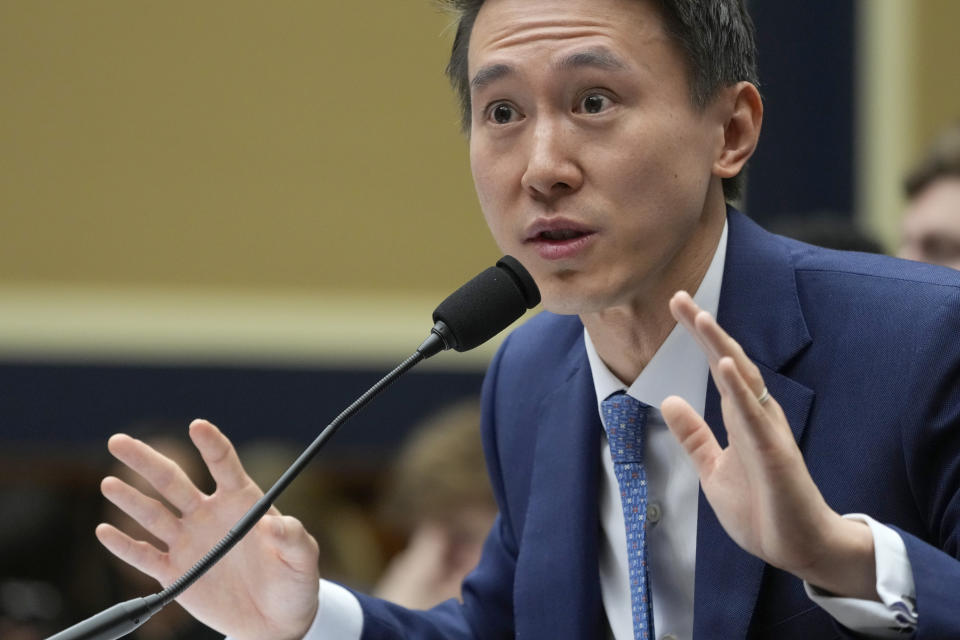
931,224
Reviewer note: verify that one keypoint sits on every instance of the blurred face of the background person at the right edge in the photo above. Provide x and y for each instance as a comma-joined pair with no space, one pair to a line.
931,227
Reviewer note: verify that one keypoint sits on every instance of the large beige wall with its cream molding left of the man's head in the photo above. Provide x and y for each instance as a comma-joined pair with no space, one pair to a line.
239,154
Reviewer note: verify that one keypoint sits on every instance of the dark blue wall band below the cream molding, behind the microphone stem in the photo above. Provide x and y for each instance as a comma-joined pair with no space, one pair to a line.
68,404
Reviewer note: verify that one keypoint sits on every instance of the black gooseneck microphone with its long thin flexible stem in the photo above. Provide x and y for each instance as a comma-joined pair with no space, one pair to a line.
471,315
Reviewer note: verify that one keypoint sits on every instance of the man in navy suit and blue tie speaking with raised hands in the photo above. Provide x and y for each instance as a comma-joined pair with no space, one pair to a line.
601,135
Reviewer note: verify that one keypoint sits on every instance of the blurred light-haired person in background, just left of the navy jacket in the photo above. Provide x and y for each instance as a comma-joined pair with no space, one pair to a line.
438,497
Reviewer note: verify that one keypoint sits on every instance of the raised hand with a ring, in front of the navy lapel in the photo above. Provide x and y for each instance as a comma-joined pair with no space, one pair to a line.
759,485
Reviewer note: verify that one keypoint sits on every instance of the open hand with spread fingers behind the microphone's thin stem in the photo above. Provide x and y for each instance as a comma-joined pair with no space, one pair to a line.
264,588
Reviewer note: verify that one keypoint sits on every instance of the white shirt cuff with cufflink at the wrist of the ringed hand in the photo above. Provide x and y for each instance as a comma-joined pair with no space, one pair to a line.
897,613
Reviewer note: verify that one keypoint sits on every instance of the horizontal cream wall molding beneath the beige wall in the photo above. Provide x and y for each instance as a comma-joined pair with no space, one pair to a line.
89,324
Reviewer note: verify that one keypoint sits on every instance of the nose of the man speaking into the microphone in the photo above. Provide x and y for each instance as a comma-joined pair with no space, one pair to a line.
552,169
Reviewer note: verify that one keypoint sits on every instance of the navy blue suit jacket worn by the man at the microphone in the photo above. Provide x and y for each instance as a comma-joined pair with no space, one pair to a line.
863,354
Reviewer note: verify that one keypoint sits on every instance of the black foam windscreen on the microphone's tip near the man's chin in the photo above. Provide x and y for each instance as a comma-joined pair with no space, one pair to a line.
487,304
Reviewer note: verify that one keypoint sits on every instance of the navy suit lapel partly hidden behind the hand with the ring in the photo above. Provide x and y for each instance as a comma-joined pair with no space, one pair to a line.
760,308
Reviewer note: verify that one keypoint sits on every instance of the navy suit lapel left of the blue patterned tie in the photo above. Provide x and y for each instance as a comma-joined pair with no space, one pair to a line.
560,593
